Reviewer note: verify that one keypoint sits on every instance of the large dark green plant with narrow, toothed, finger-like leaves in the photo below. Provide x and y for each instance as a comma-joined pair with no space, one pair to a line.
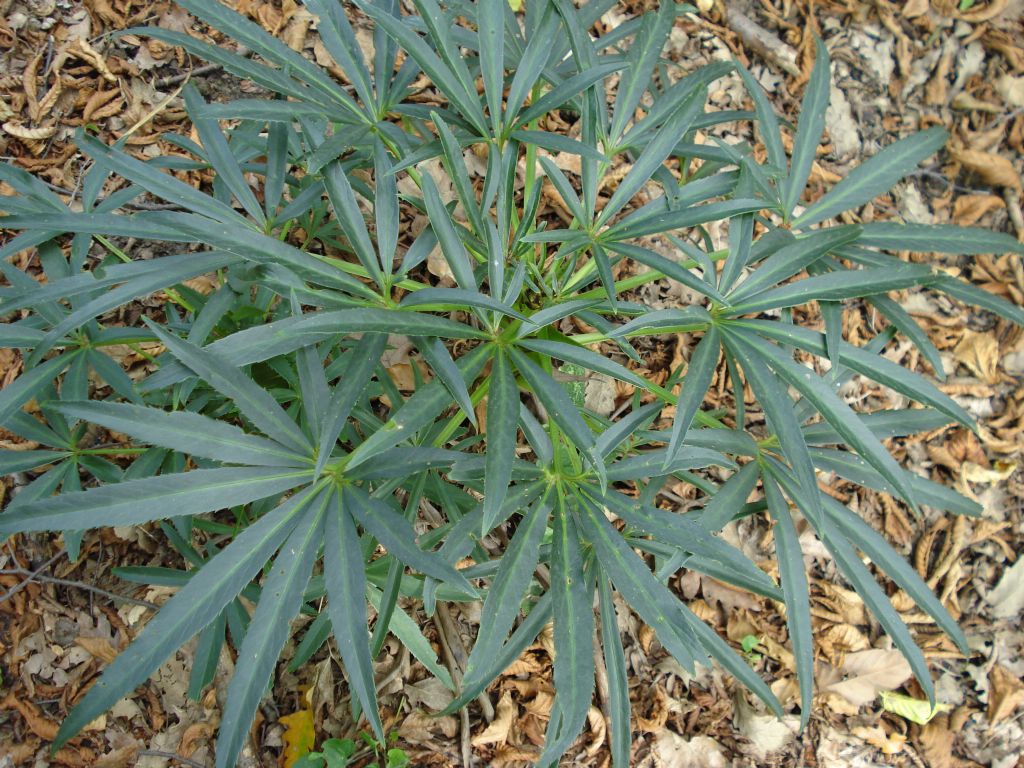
288,467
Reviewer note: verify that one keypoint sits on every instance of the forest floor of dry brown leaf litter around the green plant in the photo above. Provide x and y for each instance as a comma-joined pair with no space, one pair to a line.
899,67
